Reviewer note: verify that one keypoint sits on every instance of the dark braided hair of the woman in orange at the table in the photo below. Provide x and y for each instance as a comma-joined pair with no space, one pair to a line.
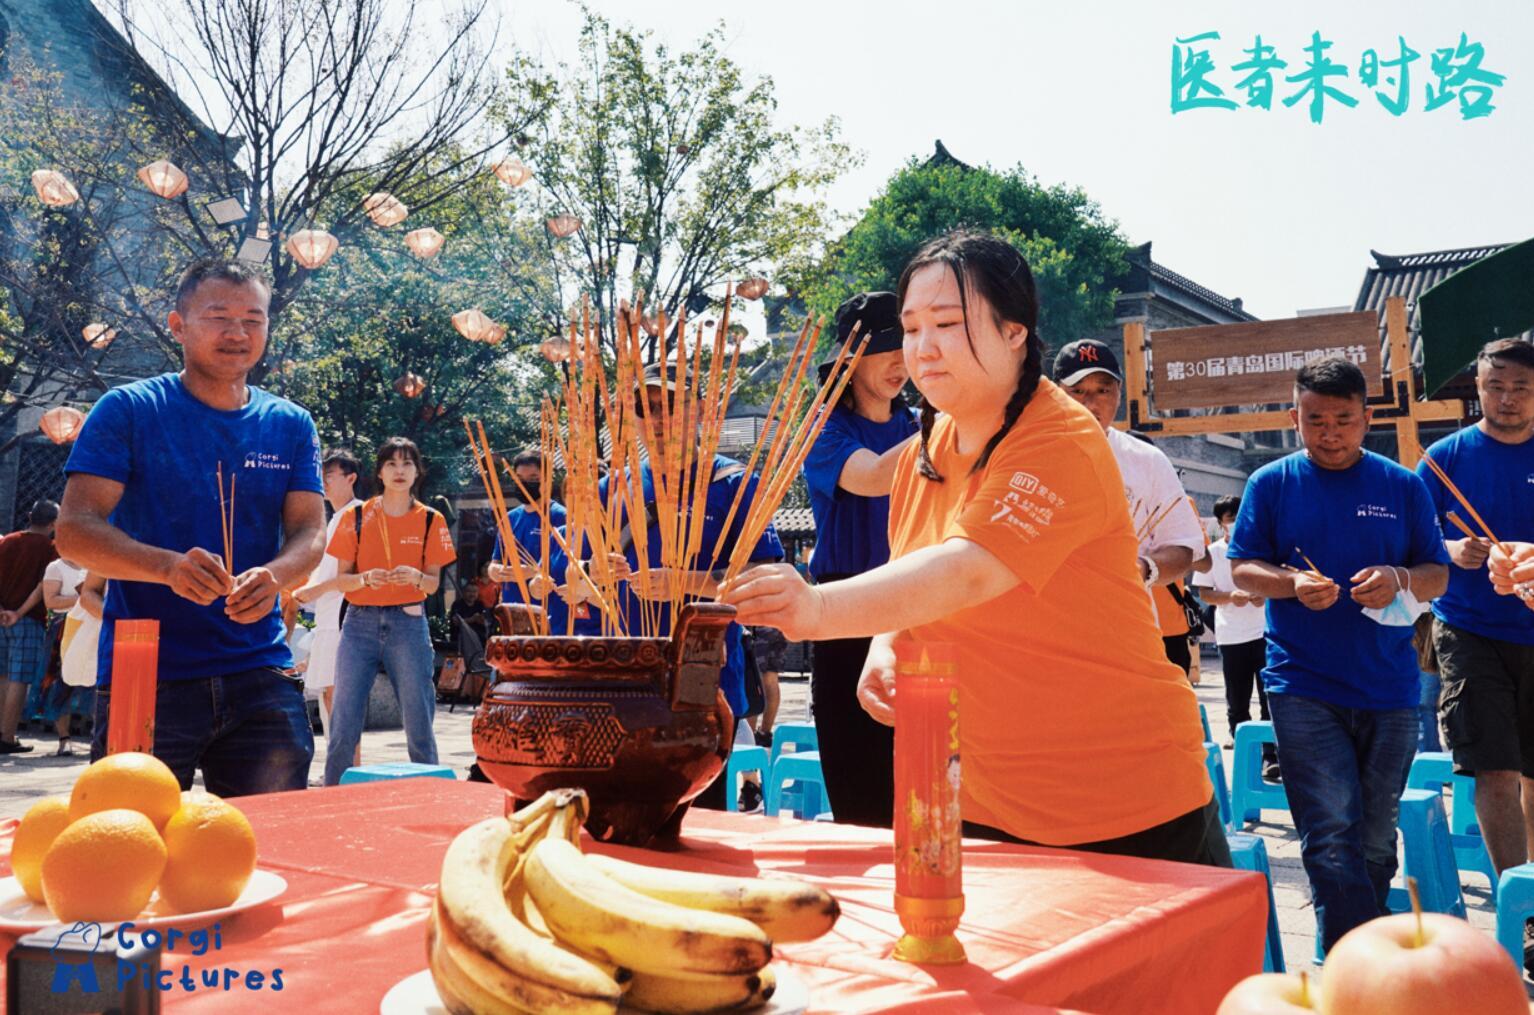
999,274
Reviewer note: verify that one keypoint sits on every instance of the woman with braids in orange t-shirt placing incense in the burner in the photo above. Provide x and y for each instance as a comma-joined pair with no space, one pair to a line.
1010,537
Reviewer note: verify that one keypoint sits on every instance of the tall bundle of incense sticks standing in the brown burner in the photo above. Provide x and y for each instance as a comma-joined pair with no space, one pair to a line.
605,432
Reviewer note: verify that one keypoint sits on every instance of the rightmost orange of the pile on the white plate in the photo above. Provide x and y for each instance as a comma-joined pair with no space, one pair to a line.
211,853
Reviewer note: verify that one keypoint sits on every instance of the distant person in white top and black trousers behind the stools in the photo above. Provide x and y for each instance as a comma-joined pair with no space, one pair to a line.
1240,632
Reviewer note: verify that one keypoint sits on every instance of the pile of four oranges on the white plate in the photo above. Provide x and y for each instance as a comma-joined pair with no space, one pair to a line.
127,830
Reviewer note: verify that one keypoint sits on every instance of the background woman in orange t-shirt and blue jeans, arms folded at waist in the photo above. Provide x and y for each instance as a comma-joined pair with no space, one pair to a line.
390,554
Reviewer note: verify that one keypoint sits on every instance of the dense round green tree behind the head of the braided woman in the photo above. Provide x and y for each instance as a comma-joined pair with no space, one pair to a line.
1073,249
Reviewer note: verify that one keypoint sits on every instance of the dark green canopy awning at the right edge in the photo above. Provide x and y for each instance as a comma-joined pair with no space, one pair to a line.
1490,300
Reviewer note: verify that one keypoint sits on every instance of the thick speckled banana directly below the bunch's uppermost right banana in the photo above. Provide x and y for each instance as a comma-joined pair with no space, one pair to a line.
602,918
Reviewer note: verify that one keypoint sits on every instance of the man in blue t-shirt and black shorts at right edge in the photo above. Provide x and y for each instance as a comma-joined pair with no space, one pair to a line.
1484,642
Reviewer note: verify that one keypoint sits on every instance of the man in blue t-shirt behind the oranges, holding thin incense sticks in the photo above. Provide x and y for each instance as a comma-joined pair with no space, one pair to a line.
200,499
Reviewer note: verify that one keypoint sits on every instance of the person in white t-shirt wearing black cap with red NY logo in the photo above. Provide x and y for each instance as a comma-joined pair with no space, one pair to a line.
1171,534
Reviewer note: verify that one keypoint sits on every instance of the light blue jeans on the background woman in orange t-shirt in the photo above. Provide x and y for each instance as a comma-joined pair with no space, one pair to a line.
372,637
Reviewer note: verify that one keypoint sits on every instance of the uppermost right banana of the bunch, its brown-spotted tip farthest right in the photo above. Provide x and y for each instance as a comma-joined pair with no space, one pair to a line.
786,910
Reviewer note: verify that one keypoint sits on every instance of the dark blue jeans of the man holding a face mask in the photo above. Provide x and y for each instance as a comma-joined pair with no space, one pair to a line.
1345,770
